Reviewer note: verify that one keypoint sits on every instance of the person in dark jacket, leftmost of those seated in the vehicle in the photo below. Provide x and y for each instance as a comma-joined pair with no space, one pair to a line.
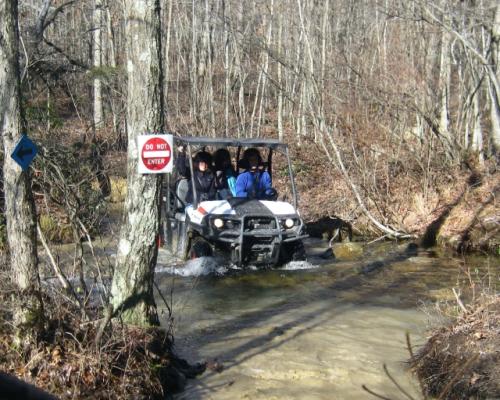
203,177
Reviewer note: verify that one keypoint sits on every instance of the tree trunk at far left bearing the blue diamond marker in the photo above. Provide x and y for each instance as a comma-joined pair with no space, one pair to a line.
19,204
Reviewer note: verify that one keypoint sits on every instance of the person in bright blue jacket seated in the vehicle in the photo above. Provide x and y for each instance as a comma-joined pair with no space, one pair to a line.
255,182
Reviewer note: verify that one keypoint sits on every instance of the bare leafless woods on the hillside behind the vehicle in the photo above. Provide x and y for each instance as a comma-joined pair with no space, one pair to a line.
390,106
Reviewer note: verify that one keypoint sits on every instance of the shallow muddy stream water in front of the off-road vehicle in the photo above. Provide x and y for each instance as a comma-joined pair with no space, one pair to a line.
316,330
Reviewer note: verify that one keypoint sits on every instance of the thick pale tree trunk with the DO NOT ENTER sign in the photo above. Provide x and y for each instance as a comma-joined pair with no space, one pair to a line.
132,287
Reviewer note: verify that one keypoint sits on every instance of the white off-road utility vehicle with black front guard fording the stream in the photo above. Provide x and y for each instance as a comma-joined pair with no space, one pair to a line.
245,231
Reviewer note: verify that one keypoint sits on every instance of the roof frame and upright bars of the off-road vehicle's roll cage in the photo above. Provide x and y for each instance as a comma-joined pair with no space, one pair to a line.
194,144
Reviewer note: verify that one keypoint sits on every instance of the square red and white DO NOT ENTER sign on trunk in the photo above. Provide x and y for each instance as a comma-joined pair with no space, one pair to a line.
155,154
